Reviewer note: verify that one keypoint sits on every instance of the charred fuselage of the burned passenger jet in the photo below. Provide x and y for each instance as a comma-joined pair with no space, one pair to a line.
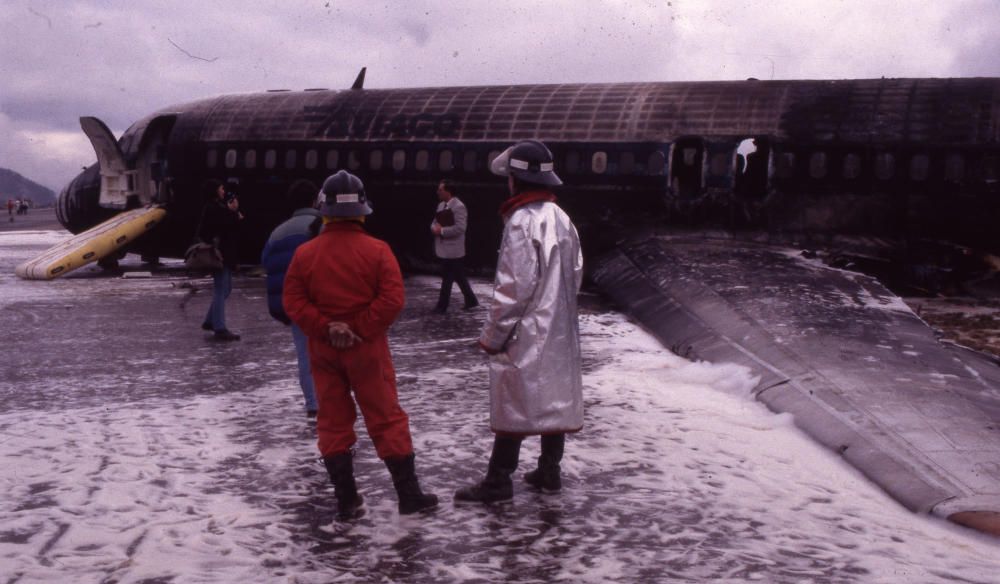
902,159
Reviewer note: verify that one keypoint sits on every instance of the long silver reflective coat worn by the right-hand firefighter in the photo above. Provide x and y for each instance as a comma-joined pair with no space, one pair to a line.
535,381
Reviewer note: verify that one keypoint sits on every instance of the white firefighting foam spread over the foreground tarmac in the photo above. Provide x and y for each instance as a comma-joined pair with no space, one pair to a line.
678,475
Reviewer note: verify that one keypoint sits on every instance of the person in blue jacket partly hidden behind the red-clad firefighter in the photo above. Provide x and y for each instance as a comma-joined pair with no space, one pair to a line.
304,224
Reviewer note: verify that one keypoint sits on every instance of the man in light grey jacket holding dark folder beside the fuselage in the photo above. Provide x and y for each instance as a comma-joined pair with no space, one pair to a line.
449,226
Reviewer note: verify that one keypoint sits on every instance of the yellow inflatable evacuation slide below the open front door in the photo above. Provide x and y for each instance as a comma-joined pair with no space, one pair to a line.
91,245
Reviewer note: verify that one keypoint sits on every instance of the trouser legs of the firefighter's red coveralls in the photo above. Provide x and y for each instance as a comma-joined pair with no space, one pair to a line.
365,368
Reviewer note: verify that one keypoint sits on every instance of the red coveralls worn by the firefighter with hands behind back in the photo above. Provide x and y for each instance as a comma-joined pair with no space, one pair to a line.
346,275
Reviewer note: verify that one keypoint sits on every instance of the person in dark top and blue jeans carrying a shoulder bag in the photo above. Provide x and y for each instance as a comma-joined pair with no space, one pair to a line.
220,220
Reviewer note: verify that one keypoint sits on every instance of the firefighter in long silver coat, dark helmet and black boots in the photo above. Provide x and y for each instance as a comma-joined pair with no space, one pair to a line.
532,331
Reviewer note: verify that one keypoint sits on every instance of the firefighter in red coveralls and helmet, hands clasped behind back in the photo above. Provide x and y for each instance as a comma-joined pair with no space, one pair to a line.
344,289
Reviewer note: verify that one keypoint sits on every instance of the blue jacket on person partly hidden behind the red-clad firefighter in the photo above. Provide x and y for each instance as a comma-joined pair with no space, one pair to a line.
281,245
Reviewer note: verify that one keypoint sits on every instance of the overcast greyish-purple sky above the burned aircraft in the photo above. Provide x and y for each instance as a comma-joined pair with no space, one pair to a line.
119,60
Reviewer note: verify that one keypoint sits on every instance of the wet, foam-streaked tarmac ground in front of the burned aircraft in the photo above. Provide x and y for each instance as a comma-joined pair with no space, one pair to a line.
134,448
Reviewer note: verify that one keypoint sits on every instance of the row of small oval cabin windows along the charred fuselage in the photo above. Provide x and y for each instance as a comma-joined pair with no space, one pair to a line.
821,165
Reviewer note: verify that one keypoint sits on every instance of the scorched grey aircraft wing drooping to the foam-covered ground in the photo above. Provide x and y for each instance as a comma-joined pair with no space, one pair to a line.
858,370
